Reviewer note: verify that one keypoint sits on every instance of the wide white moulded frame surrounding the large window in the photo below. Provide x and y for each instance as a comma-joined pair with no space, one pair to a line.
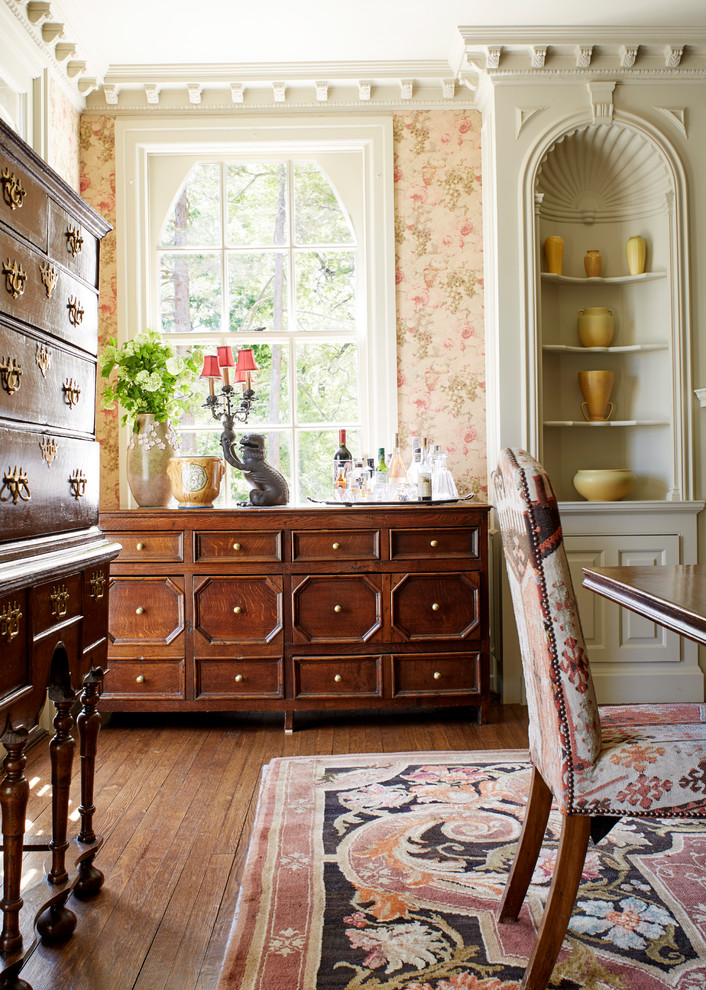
139,139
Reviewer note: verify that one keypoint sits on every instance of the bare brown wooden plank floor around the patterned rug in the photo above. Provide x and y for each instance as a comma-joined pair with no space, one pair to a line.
176,797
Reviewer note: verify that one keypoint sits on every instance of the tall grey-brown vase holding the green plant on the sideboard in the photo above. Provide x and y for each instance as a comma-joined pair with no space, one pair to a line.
150,447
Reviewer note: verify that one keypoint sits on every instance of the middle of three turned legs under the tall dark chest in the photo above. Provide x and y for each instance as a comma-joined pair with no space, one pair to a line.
61,751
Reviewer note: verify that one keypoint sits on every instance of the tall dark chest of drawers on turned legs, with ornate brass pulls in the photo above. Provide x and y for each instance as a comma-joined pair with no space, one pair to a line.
54,561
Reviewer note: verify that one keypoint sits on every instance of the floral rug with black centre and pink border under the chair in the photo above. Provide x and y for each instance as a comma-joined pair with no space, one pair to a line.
386,871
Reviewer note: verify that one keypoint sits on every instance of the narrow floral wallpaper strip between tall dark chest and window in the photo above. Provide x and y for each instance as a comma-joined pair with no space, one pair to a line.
97,165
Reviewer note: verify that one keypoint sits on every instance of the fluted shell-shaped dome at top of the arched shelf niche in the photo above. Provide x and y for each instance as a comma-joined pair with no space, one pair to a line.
603,173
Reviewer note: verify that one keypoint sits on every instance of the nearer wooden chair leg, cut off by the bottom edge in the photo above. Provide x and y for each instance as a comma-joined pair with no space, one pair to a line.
575,833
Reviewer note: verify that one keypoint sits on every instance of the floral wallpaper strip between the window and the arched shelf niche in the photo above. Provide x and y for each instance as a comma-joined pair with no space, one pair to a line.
439,275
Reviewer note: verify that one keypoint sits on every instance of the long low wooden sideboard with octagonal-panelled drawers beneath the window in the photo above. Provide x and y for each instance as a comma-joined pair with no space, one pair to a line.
293,609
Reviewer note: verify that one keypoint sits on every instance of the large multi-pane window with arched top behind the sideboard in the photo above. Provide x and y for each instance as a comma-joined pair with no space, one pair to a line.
282,244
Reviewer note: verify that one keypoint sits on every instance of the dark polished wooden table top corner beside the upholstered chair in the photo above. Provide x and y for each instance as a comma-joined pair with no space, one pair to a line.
672,595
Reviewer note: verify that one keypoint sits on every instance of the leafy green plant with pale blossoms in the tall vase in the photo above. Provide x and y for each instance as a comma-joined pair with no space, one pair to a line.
150,377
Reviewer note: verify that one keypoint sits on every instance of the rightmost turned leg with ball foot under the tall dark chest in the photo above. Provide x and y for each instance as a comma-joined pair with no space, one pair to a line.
88,722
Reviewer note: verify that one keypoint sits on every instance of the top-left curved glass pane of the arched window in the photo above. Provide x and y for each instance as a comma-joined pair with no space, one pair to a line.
195,220
